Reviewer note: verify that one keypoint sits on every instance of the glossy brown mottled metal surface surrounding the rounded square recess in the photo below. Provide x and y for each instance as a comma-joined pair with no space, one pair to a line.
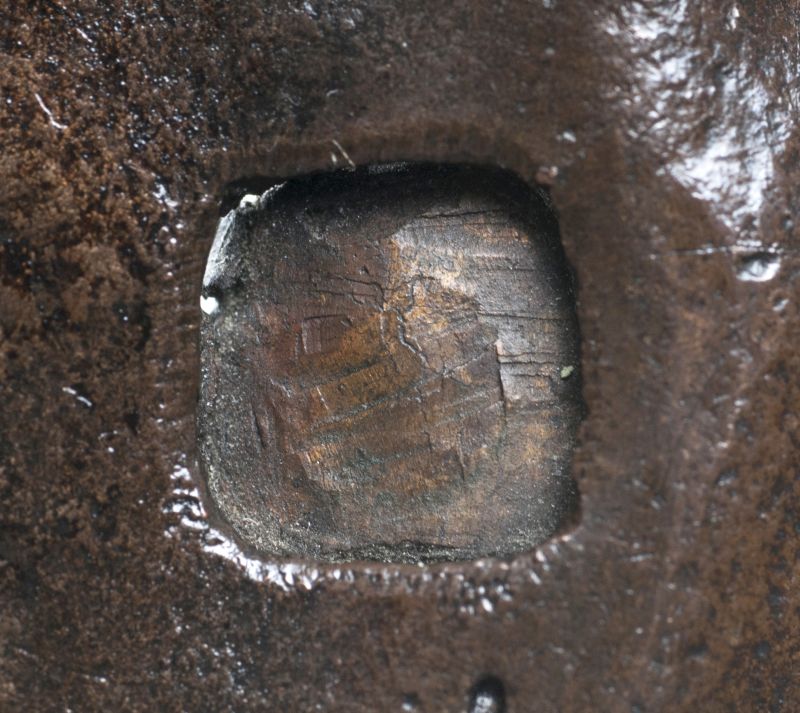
667,131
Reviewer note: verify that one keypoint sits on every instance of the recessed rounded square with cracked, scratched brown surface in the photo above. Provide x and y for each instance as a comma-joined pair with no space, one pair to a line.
390,367
